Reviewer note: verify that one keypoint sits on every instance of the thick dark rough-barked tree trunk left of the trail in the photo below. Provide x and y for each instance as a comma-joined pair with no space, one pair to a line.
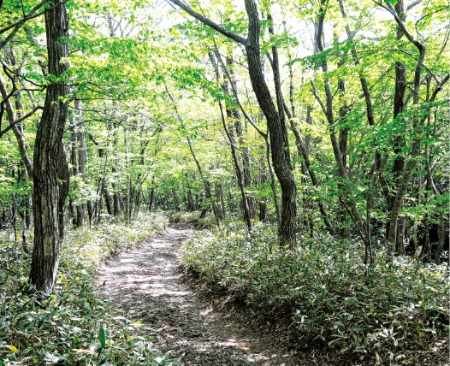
51,173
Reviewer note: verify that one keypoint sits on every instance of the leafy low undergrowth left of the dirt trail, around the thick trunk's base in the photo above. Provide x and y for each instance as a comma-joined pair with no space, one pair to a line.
74,326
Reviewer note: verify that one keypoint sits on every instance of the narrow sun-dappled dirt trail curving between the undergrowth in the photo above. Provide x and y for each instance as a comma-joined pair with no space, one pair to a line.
147,281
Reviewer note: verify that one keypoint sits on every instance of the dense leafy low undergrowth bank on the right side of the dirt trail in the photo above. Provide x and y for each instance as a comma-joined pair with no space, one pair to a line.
389,313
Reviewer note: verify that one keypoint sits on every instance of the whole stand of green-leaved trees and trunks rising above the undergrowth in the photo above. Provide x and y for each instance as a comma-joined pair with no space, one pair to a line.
339,106
